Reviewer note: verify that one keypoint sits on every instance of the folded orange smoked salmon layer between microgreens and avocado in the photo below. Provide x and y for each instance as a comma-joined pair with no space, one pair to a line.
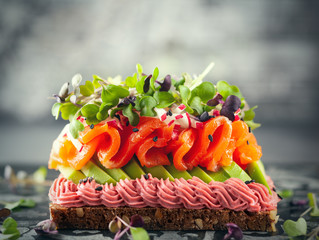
217,143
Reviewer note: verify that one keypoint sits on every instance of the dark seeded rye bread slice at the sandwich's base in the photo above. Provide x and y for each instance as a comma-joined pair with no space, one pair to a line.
98,217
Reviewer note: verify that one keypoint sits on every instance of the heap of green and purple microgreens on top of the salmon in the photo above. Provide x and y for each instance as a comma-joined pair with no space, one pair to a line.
143,95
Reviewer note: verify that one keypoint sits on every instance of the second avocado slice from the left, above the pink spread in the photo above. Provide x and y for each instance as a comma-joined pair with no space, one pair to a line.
92,170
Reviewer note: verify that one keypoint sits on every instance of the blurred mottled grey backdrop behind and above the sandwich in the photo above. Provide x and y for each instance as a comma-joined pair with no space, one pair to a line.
268,48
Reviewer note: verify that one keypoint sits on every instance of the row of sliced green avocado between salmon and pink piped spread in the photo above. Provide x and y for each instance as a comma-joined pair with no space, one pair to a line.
133,170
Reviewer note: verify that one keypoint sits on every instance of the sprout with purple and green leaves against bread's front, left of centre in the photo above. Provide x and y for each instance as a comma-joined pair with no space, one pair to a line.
133,227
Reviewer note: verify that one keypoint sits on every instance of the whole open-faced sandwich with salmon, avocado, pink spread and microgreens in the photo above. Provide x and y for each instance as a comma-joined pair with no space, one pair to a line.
178,151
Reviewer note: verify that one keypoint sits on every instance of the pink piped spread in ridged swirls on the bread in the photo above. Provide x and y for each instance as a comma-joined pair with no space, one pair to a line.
191,194
